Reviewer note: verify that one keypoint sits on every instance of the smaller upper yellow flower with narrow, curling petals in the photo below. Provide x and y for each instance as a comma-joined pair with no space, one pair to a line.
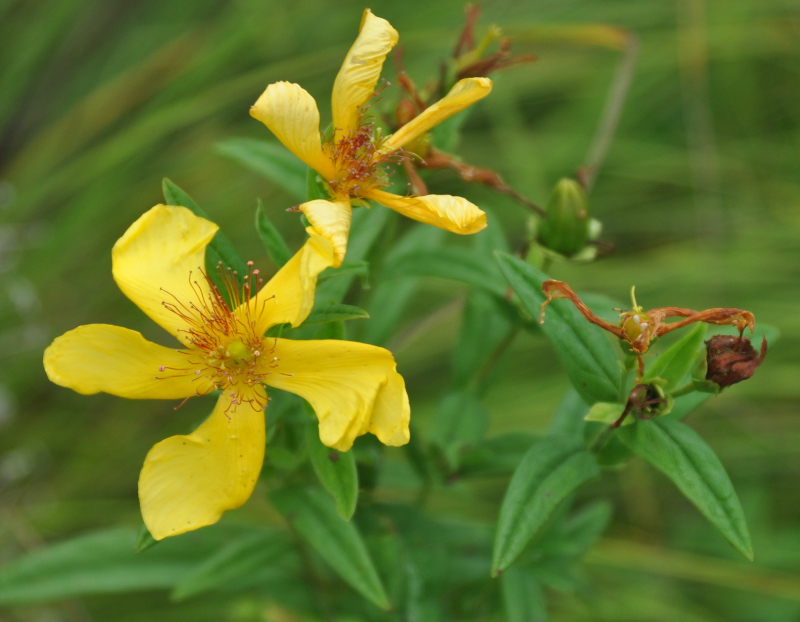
352,161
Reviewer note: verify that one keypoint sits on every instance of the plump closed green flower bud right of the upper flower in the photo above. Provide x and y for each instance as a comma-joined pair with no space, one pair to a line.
565,227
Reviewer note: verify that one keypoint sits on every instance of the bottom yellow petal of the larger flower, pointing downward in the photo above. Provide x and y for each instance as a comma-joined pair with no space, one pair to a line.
187,482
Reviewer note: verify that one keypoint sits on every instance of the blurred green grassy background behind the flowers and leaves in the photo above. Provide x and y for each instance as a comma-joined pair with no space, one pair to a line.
699,194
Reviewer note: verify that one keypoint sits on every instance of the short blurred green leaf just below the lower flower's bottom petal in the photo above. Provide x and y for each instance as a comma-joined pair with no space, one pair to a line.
242,557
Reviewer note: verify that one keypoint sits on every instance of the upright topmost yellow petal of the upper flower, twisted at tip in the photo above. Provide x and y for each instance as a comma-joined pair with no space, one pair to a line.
355,83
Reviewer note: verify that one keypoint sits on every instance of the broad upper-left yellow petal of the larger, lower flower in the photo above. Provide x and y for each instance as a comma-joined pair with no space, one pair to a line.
159,259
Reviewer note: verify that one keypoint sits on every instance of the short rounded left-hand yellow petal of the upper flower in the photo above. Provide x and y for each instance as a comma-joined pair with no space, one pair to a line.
291,114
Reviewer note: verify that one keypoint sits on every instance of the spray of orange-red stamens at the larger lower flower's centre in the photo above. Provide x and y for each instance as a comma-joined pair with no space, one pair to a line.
224,352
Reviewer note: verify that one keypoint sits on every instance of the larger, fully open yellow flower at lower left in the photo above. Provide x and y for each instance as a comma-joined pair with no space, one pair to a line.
187,482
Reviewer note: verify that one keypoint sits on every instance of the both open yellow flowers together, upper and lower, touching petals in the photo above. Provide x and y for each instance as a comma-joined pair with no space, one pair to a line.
188,481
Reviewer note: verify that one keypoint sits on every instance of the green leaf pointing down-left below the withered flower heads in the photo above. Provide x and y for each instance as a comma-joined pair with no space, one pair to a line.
551,470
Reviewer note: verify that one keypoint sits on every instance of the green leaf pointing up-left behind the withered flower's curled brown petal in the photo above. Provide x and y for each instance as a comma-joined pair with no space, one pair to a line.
588,357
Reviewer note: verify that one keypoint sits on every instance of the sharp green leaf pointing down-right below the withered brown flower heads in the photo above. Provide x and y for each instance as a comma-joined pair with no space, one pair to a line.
683,456
